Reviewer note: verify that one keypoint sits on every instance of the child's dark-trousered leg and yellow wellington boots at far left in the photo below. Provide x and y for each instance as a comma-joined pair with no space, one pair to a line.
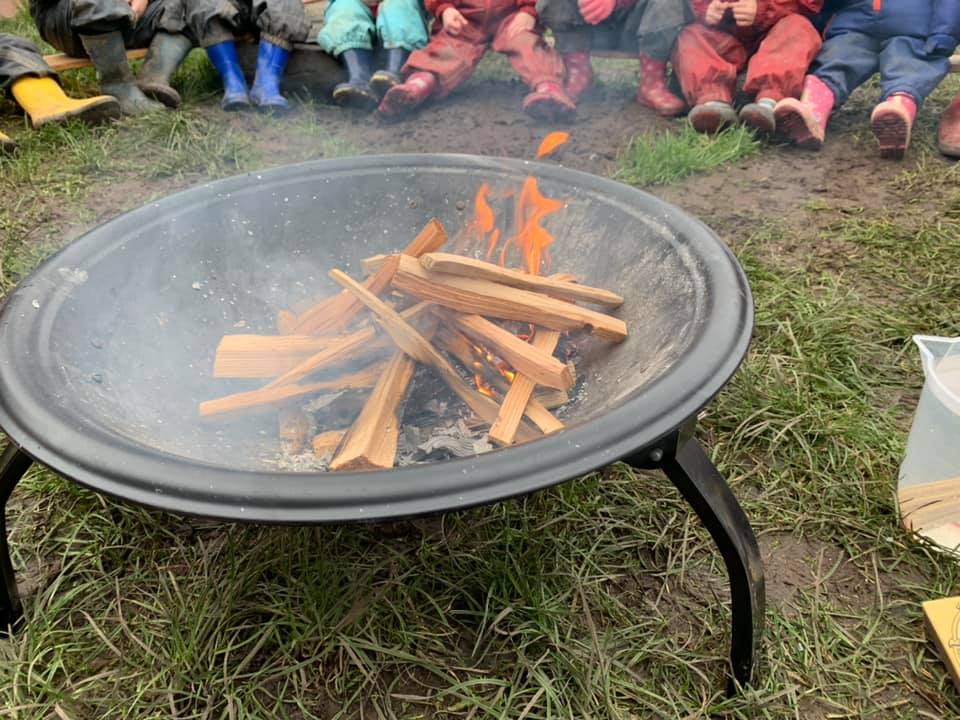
34,86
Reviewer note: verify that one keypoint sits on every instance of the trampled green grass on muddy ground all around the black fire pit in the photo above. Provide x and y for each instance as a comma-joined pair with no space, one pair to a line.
602,598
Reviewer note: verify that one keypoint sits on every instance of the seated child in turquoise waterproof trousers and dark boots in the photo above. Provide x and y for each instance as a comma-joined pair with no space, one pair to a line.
349,31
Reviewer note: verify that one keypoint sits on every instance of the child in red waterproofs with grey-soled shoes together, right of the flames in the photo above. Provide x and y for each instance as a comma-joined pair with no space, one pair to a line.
774,40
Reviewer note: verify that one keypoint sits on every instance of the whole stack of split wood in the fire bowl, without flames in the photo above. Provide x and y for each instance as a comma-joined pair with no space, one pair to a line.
420,306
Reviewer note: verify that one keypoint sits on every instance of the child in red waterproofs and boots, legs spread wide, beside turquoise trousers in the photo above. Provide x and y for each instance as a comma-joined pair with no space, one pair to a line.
461,36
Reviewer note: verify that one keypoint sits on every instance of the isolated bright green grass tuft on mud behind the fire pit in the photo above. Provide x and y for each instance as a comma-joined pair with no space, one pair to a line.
666,157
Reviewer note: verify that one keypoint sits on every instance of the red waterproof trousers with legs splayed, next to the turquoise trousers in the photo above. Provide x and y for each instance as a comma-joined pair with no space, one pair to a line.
453,58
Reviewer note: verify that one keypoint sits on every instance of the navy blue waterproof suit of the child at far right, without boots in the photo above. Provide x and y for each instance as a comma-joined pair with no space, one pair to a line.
908,41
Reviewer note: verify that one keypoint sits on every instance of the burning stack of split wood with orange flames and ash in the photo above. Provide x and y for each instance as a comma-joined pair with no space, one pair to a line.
470,300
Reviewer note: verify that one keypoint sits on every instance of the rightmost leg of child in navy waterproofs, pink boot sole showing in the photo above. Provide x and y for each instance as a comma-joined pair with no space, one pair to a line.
907,75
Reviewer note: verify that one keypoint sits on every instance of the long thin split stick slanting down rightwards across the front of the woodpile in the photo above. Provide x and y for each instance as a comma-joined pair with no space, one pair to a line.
420,349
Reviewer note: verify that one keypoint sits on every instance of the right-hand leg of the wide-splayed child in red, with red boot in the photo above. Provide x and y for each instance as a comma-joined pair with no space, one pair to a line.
537,64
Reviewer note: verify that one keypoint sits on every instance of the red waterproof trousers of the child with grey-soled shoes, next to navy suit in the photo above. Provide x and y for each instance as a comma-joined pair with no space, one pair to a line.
708,60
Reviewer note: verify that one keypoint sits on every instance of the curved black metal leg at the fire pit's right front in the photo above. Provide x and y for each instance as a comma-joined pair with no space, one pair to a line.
697,479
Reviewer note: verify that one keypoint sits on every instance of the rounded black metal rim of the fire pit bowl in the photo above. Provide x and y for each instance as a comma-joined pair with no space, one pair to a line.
93,457
